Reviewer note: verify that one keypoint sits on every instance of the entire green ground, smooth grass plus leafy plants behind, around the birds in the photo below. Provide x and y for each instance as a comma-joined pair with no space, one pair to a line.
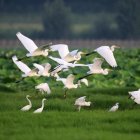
60,118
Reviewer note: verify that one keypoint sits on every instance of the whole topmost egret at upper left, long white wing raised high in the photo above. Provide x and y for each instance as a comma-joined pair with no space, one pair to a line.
32,47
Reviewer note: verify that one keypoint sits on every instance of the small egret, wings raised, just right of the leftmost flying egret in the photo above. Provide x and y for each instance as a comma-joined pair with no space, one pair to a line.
43,69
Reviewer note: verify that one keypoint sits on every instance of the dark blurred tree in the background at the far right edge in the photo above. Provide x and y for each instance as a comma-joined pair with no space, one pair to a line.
128,19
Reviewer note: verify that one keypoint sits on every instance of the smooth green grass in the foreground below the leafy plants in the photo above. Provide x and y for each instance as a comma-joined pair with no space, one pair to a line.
61,120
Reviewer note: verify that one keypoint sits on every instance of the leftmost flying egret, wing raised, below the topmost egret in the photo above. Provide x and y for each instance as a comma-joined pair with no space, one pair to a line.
24,68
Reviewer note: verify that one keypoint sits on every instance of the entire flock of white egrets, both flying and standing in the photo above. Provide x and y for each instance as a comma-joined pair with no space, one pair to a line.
67,60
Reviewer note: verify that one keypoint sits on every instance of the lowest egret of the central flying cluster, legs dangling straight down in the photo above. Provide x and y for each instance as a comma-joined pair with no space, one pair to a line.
68,83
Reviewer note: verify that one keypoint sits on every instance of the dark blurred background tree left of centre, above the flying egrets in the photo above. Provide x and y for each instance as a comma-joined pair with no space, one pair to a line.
56,19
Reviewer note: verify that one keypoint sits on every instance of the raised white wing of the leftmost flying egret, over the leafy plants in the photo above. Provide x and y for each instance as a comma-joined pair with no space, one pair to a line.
22,66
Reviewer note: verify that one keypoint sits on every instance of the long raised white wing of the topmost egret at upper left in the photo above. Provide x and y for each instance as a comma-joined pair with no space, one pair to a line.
27,42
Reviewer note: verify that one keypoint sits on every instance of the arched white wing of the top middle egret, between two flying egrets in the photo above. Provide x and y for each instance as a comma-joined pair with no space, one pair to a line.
62,49
